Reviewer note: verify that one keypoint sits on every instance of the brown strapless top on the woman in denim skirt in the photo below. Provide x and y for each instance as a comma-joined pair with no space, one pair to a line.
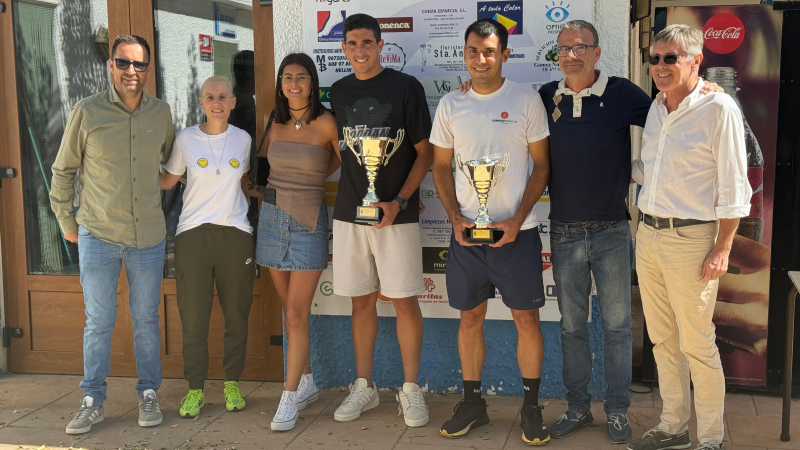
297,172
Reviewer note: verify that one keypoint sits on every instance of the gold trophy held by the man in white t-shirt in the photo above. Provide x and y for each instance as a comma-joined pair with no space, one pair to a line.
483,174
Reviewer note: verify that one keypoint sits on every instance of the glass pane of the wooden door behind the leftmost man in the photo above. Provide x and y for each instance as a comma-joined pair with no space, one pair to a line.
61,57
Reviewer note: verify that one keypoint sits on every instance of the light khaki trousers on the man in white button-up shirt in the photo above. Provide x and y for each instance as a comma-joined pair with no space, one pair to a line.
678,306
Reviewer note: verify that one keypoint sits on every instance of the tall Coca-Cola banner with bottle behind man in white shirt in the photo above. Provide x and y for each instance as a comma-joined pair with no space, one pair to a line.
741,54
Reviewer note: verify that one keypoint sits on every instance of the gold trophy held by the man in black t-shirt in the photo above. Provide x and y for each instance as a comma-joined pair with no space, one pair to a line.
372,153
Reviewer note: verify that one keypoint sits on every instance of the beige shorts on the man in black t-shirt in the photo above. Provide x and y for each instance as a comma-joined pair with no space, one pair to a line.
366,259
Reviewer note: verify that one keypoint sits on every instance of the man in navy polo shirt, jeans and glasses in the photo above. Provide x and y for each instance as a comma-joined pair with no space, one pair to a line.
590,115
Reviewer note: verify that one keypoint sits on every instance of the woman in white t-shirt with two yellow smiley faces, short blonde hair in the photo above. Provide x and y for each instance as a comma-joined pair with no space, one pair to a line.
214,242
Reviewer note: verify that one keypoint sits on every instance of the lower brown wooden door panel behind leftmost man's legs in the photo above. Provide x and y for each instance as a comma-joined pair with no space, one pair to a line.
58,319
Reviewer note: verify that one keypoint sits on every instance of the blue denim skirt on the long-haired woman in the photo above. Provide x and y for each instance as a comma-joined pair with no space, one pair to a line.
283,244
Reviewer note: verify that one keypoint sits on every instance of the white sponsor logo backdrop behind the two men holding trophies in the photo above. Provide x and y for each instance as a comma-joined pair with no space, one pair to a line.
425,39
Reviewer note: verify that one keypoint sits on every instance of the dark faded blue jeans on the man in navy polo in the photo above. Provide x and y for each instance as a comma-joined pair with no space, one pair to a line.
604,250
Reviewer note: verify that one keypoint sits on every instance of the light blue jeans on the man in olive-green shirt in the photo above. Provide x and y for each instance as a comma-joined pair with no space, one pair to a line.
100,264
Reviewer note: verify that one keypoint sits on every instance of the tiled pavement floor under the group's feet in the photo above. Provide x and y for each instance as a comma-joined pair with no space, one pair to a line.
34,409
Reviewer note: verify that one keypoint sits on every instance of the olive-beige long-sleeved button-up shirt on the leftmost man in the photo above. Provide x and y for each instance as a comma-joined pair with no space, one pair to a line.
119,153
